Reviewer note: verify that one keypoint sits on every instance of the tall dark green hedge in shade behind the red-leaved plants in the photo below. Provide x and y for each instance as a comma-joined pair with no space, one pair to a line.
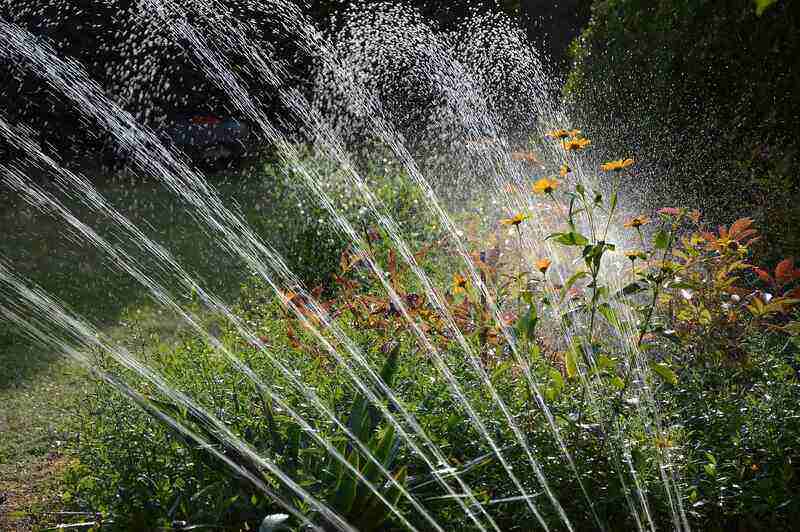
706,94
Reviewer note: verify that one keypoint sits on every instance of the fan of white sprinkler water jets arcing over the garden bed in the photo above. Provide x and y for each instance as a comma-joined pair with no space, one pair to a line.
212,37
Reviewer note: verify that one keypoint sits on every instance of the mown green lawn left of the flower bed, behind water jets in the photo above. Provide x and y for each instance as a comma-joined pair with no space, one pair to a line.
38,388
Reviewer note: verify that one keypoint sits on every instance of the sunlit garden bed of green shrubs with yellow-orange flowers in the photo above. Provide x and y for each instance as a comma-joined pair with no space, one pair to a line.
629,372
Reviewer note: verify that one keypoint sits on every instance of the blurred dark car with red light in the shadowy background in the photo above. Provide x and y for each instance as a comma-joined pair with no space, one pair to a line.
209,140
